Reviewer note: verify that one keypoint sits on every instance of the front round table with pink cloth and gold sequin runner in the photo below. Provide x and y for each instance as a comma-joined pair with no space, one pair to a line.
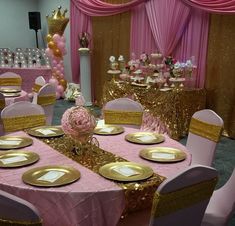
91,200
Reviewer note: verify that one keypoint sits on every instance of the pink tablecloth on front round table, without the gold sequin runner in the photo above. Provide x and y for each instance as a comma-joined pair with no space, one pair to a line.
92,200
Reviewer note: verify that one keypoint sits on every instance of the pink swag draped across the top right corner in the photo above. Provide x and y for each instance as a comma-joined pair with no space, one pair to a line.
216,6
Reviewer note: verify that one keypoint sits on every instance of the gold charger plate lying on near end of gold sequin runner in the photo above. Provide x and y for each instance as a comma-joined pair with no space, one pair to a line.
109,171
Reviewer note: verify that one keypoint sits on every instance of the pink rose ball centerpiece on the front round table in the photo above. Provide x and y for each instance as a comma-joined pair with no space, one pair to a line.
79,123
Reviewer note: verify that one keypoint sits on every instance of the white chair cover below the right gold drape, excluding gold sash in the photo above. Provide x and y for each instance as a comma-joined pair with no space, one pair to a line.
202,148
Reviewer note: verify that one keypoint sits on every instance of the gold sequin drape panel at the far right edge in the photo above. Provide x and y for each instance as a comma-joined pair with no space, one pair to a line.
220,77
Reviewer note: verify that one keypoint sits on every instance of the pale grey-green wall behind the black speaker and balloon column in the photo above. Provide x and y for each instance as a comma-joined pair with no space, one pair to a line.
14,25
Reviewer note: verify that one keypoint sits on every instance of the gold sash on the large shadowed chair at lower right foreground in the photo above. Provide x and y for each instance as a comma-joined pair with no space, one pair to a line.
164,204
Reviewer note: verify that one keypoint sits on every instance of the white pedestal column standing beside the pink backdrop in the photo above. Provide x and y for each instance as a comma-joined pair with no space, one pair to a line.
85,75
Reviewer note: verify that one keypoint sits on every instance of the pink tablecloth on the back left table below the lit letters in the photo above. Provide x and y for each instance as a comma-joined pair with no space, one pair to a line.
29,75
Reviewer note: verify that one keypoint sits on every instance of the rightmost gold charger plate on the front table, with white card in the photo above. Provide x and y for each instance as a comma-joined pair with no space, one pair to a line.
163,154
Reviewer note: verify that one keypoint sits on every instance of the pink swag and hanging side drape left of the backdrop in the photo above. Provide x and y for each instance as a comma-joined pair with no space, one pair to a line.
81,11
